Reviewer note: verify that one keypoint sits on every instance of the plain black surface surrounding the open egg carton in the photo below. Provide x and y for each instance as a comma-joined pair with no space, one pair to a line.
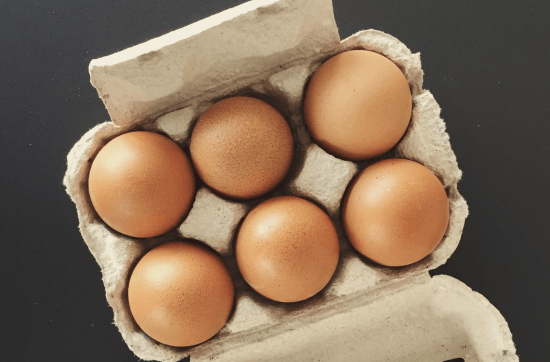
486,62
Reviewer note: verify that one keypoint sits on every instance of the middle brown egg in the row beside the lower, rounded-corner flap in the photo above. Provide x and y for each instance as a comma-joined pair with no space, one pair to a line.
287,249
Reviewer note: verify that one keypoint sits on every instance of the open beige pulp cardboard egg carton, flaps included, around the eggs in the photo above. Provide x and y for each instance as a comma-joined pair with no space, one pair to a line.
269,50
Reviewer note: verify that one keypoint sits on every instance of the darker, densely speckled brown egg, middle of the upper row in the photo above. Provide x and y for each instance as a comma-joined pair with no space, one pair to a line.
241,147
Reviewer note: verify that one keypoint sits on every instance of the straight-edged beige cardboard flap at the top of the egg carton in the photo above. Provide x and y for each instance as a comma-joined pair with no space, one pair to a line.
166,73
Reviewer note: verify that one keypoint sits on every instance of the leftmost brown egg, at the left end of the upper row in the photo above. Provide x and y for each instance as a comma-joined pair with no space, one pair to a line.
142,184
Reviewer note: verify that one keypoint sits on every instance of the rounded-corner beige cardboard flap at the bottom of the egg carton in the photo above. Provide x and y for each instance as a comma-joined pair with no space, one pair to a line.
425,319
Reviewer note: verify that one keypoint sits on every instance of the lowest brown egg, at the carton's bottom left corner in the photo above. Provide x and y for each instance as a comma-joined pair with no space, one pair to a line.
181,293
